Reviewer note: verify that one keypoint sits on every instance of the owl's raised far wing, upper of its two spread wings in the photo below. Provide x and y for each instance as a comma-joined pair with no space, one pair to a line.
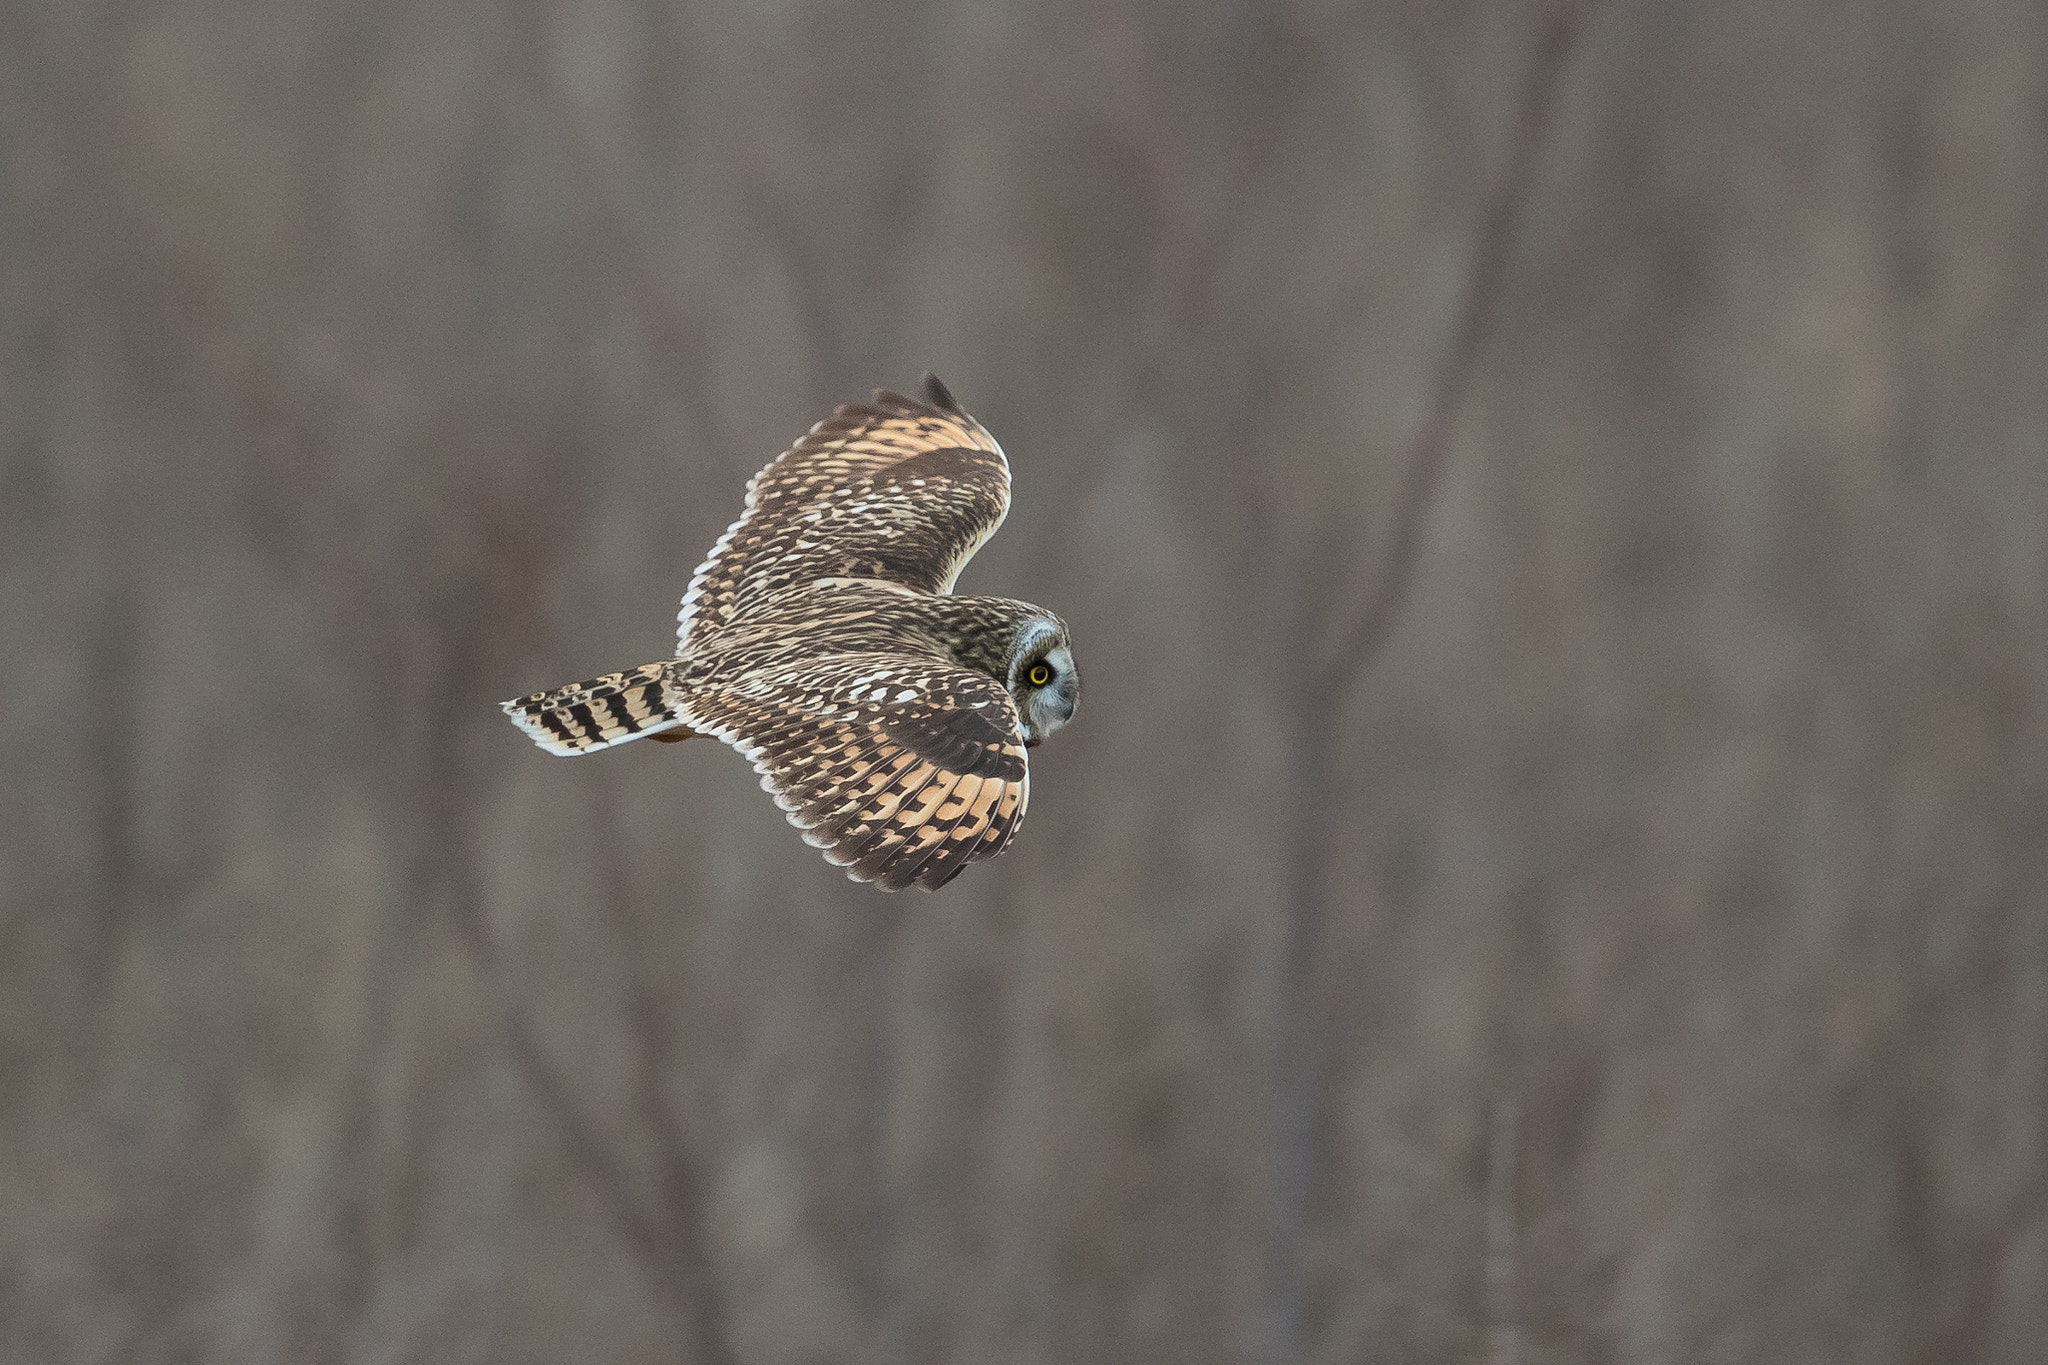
890,490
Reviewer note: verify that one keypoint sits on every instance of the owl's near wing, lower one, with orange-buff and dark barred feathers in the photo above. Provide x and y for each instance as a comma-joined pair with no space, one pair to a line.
900,768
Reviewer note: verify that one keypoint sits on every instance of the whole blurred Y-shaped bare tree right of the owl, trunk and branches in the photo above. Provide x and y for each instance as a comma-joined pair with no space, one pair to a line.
1320,676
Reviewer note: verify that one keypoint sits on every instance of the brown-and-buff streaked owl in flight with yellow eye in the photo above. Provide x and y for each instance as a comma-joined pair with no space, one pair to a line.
822,642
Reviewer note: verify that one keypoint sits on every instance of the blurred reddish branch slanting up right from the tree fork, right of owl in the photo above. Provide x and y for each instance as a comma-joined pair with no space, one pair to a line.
1361,642
